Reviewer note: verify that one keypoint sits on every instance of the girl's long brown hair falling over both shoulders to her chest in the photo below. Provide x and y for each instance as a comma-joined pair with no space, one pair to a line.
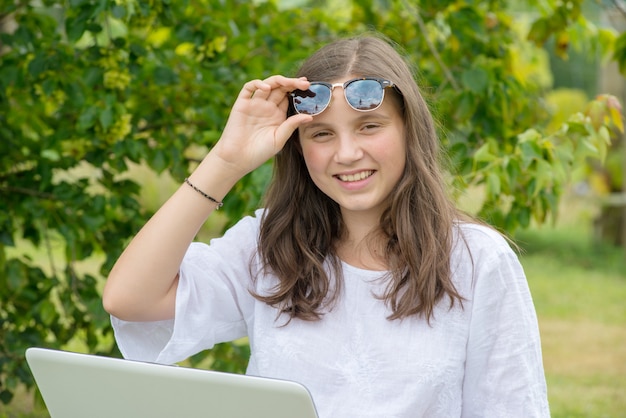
301,224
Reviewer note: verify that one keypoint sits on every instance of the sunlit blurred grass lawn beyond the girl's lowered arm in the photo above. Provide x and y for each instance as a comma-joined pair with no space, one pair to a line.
579,290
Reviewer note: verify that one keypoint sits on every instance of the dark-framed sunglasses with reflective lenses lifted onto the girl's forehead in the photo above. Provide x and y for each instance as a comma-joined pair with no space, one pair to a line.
362,94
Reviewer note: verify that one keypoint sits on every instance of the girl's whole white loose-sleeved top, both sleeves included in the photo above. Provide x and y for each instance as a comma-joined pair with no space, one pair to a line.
481,360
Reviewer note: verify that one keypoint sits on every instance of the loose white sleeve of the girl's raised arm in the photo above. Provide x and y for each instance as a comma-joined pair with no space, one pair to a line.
213,301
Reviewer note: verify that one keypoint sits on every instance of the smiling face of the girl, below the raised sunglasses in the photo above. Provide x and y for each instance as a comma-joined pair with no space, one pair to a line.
355,158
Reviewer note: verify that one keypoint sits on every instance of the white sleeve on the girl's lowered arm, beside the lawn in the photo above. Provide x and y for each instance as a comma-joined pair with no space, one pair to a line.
504,374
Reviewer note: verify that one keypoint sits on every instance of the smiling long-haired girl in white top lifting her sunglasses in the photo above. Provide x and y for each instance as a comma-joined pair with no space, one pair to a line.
359,278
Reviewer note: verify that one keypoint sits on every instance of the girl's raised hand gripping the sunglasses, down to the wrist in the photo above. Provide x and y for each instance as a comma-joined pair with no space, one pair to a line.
258,127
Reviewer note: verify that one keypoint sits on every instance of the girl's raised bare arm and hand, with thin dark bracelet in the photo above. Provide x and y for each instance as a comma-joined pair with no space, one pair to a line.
142,284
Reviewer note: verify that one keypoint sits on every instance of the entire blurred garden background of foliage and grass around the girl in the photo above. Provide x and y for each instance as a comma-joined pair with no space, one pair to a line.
107,105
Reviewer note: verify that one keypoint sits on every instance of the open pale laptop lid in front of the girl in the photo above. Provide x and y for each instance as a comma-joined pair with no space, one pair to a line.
77,385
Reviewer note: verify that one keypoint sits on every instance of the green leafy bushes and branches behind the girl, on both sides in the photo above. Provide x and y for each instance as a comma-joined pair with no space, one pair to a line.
87,87
